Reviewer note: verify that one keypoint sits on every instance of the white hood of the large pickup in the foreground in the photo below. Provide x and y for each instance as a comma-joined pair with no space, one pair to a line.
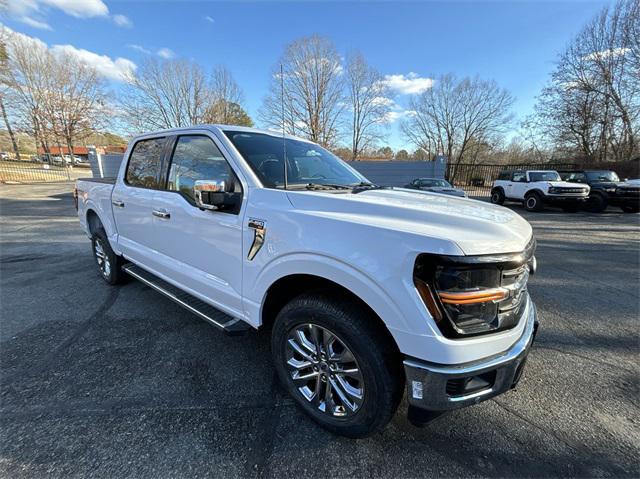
474,226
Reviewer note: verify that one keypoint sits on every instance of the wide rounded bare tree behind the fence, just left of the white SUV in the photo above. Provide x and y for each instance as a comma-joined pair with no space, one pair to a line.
458,117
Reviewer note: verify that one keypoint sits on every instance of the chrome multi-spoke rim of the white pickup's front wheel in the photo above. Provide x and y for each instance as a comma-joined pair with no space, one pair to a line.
324,370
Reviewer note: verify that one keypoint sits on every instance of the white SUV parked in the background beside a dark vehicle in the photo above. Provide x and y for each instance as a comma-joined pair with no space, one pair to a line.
535,188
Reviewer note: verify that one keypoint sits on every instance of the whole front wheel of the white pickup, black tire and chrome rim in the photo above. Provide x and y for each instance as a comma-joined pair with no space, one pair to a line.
338,366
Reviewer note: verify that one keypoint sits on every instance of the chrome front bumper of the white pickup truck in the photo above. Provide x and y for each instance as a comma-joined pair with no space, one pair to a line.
436,387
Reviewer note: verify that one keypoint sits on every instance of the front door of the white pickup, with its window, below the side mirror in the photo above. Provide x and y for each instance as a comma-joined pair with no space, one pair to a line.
200,249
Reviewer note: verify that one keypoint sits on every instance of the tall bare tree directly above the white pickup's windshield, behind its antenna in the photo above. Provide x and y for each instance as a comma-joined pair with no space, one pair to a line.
309,90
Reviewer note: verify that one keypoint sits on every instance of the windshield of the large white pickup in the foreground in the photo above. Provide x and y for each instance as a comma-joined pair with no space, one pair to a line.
307,163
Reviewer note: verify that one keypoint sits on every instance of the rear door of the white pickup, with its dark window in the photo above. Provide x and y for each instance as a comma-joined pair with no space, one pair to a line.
133,200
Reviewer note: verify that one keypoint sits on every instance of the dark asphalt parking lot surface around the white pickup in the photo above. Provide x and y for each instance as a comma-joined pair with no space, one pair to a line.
120,382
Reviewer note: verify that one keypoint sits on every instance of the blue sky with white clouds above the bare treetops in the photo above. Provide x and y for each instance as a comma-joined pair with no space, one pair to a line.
515,43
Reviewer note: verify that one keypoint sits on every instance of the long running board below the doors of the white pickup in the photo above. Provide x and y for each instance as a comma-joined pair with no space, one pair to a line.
211,315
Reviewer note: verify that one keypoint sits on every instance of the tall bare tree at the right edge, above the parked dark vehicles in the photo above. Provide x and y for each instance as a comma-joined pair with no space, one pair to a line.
591,106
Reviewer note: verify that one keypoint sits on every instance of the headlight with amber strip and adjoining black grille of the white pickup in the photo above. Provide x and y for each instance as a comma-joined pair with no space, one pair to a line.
473,296
